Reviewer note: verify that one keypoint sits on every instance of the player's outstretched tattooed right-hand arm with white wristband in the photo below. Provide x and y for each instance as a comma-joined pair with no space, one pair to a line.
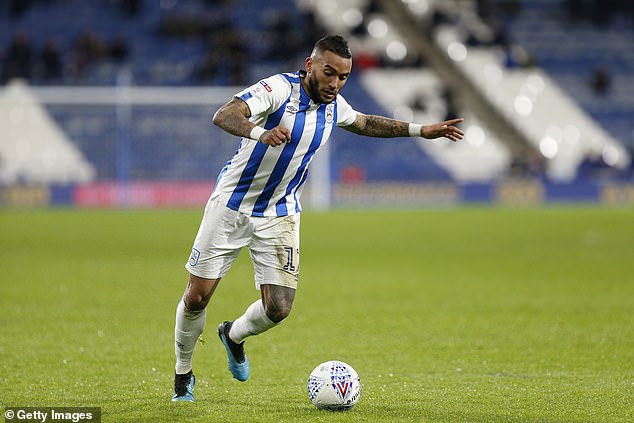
384,127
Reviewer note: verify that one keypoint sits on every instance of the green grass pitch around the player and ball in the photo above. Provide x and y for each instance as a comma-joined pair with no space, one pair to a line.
459,315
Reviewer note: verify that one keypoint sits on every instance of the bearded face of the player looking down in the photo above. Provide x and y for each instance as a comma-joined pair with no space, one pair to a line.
326,74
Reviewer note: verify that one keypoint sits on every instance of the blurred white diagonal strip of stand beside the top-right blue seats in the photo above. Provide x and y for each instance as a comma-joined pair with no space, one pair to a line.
524,94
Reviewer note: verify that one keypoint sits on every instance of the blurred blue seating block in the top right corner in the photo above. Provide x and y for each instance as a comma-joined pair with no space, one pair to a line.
571,48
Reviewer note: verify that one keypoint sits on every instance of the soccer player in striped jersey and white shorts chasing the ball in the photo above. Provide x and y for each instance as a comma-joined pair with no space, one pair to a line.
283,121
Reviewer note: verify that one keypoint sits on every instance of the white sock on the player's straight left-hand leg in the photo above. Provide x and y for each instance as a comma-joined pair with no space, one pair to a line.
189,326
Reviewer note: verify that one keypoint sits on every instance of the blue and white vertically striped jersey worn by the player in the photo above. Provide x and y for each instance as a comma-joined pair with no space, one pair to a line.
267,181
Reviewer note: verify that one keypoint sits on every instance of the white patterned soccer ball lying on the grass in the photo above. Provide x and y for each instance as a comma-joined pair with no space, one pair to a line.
334,385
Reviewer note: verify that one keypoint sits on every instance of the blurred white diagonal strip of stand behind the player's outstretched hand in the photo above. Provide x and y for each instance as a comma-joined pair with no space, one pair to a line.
407,89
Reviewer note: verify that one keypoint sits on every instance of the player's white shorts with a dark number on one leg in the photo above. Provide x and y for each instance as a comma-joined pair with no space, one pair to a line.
273,243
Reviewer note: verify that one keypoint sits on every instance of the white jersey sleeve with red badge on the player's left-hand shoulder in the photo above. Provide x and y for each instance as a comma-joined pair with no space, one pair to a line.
265,96
